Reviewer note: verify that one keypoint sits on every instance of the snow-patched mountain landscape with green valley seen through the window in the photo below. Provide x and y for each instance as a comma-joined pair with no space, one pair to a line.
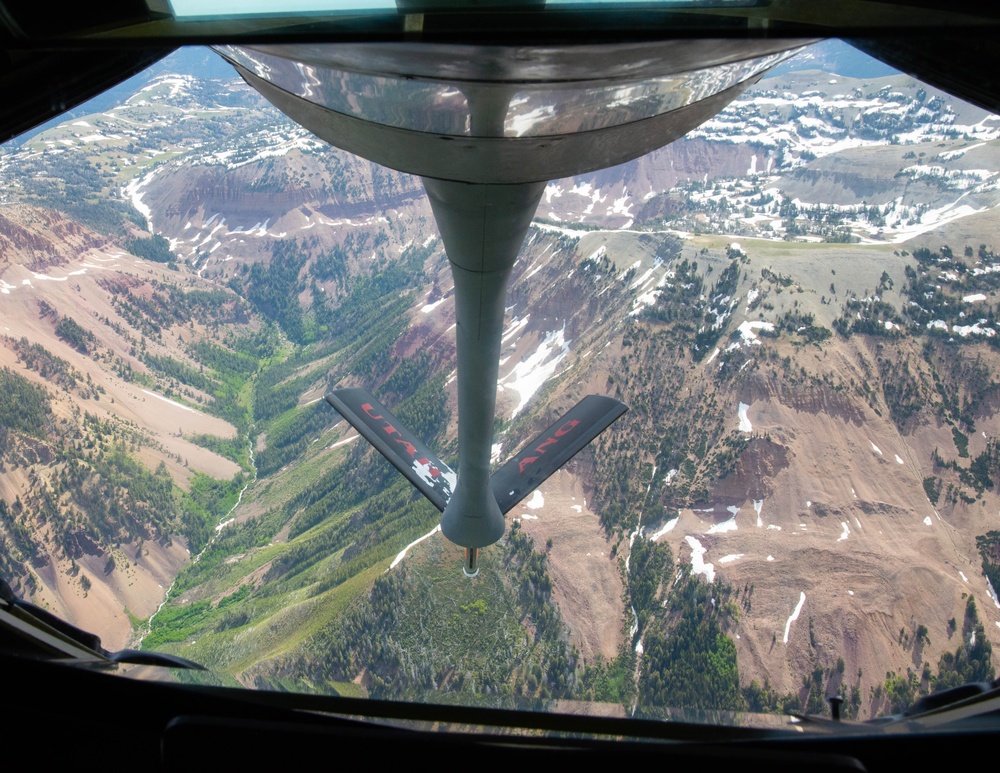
798,301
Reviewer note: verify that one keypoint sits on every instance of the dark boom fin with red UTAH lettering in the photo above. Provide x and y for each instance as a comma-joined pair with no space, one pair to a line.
376,424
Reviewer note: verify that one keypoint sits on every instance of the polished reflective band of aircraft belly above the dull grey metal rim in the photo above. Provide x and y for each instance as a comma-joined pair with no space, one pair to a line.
506,94
